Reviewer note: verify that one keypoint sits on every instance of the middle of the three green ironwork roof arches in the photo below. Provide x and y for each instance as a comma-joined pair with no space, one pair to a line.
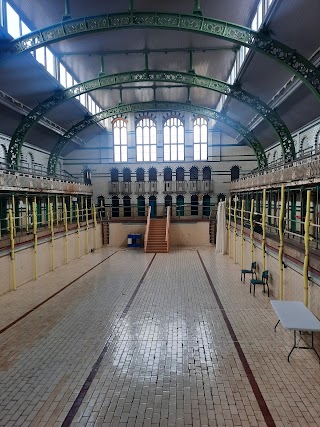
190,79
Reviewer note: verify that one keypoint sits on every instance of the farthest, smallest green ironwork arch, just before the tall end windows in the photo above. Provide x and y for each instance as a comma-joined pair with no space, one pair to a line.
156,106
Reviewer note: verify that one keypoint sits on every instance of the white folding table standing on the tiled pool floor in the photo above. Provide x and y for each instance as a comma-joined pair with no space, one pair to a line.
295,316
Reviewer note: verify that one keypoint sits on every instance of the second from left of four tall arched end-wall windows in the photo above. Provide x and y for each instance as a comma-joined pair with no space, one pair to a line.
146,134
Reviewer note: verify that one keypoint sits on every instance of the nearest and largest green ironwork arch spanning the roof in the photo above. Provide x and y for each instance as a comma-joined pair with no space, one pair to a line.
259,41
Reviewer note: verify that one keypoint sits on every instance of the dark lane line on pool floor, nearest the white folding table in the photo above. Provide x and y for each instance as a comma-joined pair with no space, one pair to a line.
254,385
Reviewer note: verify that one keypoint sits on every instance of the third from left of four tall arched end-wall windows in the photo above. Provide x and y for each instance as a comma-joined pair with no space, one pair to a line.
173,144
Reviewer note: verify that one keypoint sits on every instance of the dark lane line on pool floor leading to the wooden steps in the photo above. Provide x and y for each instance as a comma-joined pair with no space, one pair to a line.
79,399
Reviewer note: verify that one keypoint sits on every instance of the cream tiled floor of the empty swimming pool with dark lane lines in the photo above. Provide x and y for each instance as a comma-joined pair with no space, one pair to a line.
142,340
